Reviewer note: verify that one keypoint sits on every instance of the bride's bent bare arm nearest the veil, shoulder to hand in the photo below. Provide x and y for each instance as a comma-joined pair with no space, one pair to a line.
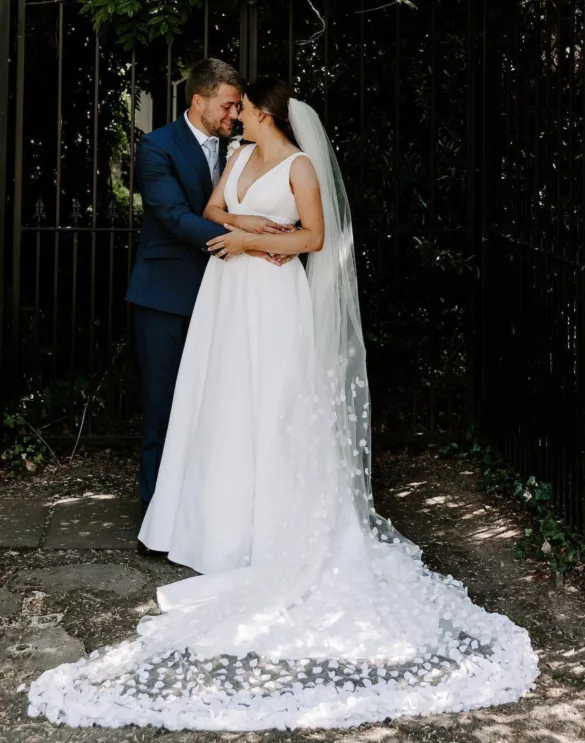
308,239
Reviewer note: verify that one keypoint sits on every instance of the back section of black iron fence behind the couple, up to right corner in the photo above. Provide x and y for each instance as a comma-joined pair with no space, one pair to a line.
397,91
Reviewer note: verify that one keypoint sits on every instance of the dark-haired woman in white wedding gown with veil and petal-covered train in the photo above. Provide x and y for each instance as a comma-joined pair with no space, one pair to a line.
312,611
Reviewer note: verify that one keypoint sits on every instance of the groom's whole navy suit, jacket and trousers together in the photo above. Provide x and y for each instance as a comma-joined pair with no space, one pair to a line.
175,185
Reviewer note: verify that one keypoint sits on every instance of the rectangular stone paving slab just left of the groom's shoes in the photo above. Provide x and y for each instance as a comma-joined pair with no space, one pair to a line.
94,523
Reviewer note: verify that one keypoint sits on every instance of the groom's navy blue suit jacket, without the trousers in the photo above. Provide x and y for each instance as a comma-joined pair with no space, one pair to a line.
175,184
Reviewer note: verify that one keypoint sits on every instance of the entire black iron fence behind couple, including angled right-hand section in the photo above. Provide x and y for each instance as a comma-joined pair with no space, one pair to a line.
460,128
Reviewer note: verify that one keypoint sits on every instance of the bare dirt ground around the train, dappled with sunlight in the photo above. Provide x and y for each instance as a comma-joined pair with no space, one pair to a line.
434,502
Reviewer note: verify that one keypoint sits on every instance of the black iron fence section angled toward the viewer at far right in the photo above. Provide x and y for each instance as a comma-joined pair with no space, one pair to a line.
533,404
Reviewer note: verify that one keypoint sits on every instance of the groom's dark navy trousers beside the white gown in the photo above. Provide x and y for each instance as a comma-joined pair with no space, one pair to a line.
160,338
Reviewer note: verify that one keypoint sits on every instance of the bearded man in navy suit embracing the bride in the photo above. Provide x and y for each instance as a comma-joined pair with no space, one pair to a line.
178,165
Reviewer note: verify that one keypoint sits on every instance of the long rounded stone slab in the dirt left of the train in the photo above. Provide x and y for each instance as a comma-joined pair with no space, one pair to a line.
88,576
